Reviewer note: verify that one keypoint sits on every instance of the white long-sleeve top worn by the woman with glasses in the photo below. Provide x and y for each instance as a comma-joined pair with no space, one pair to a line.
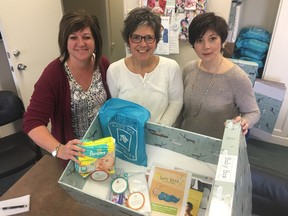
160,91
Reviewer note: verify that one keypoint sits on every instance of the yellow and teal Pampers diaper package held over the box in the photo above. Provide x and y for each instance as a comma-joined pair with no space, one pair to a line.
99,155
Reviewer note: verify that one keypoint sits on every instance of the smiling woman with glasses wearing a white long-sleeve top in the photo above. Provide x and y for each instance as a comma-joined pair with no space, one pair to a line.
152,81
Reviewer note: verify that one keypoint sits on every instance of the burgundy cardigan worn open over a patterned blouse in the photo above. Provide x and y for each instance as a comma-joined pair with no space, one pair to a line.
51,101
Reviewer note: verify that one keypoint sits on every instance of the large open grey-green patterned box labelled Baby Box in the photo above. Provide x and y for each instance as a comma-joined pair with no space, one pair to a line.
226,161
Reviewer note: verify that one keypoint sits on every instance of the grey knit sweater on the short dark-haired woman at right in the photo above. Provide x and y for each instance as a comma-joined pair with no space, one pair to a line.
229,95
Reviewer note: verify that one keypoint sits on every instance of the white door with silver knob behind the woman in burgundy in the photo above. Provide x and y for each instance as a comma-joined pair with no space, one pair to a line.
29,29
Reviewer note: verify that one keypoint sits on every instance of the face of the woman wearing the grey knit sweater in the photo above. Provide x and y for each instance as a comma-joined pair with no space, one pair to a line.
208,47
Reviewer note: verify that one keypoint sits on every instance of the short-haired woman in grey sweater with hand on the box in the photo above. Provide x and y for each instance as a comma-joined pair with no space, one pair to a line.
215,89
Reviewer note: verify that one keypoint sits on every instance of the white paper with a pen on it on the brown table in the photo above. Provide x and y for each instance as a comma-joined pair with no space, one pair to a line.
19,201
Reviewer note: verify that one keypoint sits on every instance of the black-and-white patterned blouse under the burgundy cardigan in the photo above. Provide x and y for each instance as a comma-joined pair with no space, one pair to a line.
85,104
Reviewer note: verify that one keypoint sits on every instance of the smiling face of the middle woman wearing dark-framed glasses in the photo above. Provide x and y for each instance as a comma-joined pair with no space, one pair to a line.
142,51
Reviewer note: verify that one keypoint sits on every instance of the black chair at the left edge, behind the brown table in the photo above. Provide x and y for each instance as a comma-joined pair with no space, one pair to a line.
17,151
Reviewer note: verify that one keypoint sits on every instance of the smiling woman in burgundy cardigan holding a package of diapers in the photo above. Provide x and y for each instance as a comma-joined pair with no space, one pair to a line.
71,89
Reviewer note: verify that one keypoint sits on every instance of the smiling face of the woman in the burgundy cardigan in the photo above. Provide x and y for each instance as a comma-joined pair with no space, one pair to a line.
81,45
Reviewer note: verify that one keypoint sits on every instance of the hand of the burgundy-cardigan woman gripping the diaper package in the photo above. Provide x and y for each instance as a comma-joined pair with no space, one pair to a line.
70,151
